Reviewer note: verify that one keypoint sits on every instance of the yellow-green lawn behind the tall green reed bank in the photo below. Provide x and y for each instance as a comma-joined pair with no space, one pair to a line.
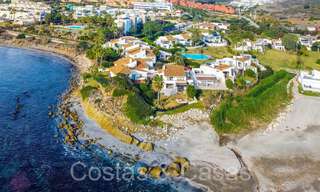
278,60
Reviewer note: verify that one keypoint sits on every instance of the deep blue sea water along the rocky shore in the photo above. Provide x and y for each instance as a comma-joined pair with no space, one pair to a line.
33,156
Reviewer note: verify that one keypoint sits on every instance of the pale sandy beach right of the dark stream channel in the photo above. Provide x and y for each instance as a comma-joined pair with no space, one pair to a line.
286,156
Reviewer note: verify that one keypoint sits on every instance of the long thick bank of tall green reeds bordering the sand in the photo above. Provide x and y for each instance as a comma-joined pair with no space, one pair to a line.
259,105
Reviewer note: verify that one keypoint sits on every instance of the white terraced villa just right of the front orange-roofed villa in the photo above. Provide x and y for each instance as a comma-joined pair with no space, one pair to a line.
208,78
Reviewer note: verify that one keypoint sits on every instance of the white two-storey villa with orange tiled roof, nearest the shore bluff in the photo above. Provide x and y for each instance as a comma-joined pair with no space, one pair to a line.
174,79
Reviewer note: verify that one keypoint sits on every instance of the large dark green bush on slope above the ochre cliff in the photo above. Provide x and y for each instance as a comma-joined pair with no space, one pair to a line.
136,109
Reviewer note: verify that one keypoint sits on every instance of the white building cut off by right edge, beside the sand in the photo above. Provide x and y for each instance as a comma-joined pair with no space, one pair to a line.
310,81
